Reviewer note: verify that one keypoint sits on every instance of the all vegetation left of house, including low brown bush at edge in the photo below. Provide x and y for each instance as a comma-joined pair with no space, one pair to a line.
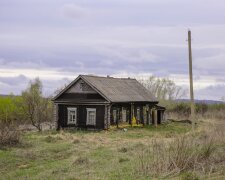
30,108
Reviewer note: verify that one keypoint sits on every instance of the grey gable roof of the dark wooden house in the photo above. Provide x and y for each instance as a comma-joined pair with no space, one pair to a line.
116,89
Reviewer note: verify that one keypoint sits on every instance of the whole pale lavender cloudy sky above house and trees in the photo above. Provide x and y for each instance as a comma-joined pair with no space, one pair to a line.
56,40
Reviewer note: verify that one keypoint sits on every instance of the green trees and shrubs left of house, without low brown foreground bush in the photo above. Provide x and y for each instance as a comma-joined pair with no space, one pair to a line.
31,107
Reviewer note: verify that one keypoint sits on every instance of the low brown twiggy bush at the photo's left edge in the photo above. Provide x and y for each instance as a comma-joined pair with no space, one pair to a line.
9,135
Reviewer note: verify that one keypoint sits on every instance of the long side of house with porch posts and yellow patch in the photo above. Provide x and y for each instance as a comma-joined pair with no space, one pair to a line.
134,114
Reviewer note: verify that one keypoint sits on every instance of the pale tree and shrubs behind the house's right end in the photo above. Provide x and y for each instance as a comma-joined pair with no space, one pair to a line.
167,92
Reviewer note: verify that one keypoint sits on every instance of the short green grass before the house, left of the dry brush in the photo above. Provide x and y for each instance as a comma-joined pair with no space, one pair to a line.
82,154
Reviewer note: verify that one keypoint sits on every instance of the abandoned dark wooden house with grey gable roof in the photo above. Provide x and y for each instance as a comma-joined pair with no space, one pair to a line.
99,102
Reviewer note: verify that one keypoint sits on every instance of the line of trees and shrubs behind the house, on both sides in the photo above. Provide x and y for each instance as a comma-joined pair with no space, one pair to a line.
33,108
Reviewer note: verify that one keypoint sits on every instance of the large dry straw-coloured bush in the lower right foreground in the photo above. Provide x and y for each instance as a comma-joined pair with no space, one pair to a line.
181,155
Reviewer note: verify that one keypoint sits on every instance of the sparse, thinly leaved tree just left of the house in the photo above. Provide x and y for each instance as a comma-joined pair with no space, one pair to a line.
36,108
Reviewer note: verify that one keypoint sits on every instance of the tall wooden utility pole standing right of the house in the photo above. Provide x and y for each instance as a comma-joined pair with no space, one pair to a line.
191,81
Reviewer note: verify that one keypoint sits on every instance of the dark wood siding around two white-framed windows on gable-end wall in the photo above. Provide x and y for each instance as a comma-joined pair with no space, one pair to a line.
81,116
